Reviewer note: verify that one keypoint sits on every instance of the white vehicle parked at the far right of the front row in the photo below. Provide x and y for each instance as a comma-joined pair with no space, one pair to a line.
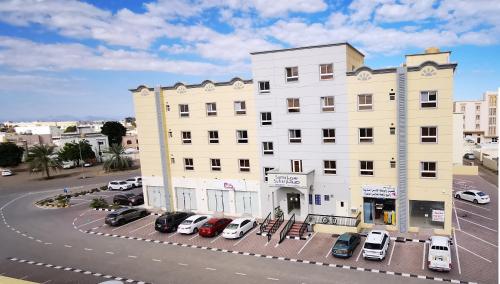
439,257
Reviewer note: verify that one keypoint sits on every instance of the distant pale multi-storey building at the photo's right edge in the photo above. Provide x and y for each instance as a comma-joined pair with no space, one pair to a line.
479,118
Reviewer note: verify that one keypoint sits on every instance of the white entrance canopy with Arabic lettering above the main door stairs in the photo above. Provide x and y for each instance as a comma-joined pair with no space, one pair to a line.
300,181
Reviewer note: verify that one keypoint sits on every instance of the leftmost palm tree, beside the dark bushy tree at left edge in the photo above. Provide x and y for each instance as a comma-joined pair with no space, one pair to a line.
42,158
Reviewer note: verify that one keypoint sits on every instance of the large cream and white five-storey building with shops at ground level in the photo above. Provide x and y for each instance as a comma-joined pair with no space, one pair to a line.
320,134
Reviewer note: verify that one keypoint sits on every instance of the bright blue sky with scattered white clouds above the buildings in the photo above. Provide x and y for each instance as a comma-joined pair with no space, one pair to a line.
68,59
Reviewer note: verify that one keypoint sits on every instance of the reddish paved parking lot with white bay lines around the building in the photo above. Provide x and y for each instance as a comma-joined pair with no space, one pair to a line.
474,251
